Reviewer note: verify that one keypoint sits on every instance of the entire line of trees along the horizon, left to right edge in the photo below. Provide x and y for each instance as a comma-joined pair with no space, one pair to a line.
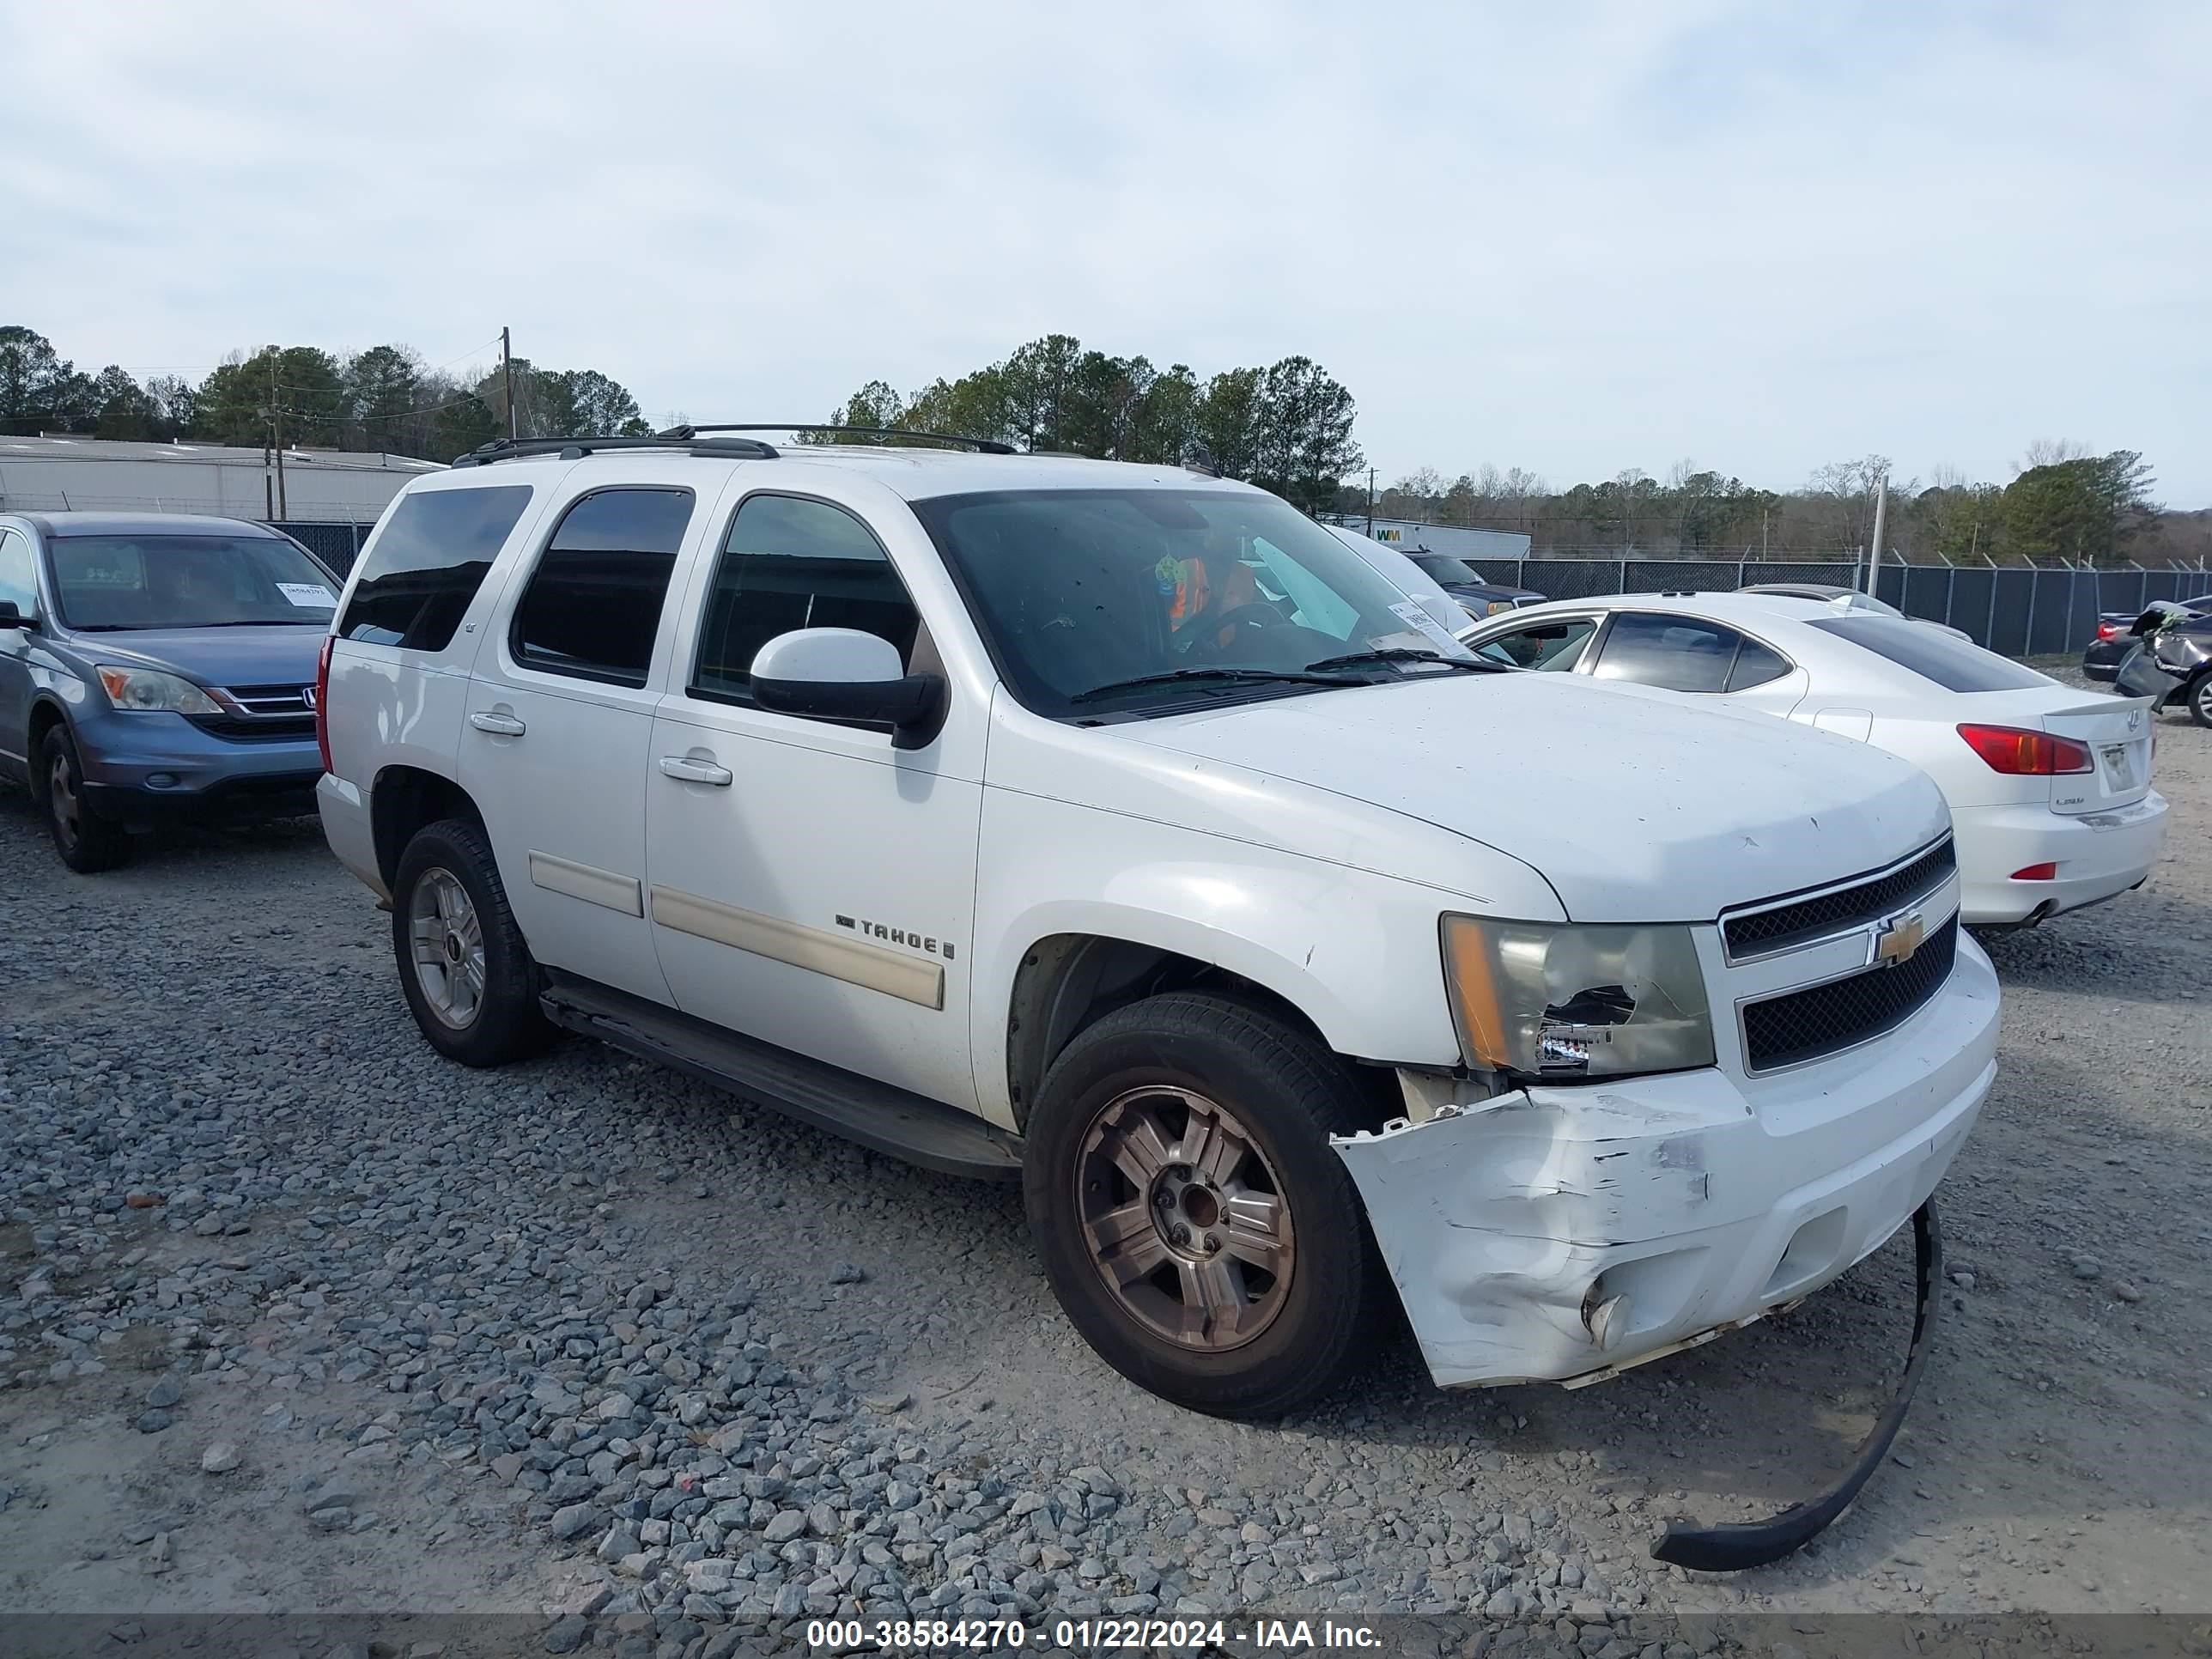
1286,428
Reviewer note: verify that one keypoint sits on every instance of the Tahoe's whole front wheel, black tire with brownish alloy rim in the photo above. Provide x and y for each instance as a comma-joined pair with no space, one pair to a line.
1193,1220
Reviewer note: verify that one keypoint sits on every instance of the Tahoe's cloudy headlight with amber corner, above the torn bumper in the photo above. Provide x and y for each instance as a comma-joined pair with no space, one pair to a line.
1563,1001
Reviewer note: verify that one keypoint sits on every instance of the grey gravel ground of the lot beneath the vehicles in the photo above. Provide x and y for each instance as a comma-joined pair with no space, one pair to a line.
300,1317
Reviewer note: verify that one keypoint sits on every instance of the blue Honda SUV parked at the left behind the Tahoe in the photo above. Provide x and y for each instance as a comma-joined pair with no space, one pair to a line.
158,667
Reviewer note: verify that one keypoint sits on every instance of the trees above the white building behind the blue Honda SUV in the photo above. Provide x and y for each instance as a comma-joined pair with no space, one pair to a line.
384,399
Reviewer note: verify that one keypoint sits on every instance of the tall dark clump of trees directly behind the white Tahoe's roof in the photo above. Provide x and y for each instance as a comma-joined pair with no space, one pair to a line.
1286,428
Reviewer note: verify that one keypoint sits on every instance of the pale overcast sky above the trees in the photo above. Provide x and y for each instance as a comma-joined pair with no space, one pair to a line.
1757,238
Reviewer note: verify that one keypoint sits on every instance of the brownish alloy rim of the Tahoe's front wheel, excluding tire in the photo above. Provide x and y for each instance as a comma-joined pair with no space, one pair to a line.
1185,1218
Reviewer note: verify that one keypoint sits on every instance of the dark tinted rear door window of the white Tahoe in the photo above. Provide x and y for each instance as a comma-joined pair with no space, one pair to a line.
594,603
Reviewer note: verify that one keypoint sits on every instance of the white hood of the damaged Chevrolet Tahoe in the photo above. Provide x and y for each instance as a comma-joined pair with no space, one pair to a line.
1636,806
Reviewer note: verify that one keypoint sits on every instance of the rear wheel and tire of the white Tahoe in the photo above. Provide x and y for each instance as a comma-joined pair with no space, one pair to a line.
466,970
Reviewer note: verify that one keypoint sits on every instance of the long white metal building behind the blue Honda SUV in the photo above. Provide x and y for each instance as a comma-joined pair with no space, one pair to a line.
320,486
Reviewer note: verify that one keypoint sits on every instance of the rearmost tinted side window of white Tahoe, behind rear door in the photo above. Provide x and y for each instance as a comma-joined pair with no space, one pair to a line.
428,565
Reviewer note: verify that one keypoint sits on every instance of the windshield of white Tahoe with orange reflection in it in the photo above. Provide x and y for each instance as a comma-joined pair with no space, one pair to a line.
1081,592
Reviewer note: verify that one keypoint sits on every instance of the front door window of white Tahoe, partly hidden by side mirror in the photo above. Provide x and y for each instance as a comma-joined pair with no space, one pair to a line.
795,563
